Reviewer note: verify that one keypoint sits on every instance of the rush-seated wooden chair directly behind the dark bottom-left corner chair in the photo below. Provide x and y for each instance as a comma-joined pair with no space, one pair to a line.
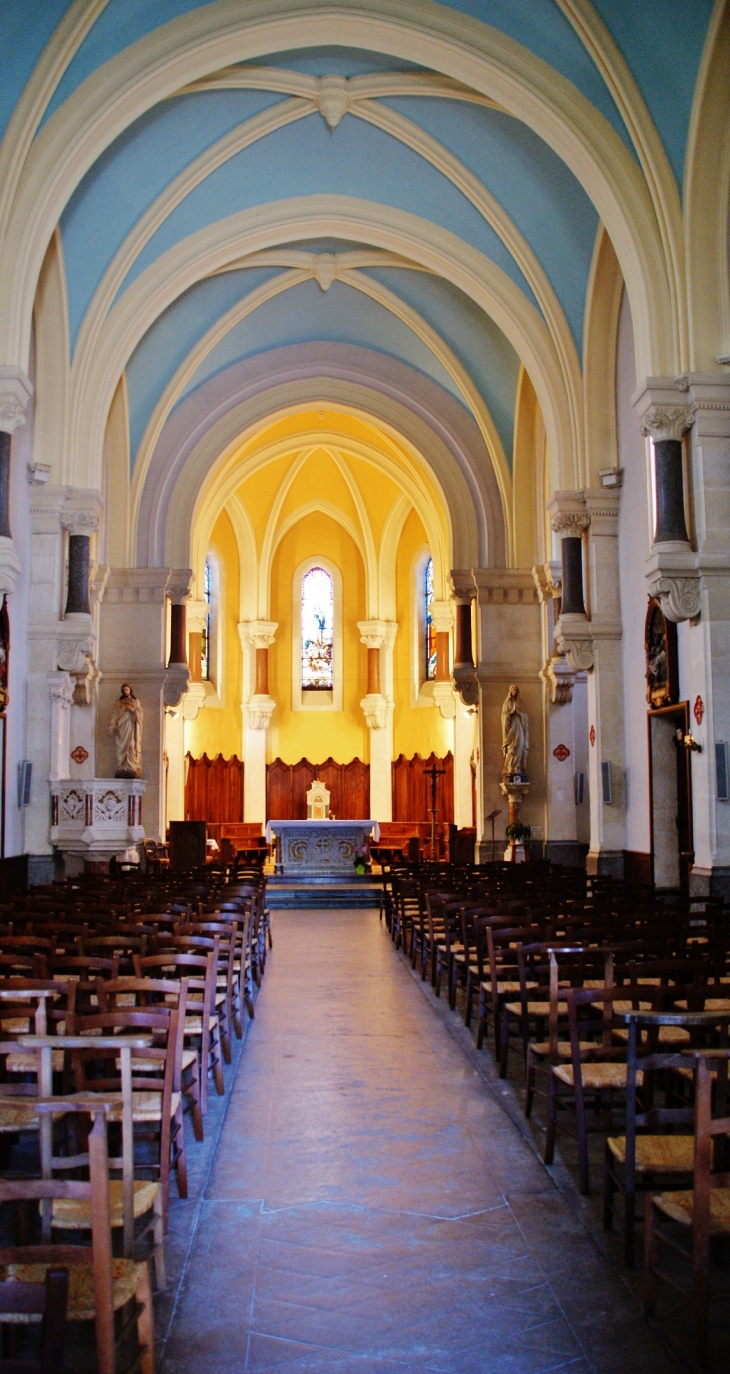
98,1284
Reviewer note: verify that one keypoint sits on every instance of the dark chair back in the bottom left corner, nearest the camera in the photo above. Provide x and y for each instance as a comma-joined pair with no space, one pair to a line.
46,1302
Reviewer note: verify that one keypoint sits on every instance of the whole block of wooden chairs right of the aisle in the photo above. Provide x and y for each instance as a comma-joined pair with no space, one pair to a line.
618,1004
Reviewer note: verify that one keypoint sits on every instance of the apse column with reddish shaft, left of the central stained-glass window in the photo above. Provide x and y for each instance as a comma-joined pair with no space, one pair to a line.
258,707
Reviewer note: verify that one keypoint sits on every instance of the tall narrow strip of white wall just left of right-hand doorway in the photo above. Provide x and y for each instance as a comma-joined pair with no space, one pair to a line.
633,553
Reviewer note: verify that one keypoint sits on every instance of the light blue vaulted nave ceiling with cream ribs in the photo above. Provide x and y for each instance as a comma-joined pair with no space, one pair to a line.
196,234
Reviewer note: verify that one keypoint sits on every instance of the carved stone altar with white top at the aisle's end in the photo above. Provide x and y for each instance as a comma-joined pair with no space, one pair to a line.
324,848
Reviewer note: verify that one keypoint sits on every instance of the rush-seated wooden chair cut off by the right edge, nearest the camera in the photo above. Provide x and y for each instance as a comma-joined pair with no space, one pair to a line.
706,1210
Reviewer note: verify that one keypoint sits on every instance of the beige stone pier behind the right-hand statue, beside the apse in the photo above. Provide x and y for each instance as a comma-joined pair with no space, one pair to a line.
509,651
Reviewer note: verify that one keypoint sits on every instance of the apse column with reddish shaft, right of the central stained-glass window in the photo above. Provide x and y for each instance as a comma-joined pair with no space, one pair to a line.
379,635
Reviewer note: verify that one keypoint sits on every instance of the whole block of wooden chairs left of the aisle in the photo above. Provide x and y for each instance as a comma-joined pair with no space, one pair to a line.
119,1005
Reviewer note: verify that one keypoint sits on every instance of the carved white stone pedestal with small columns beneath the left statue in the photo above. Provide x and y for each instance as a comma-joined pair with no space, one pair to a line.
97,818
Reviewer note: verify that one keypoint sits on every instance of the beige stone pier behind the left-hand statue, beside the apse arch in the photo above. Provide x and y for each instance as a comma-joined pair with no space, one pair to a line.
133,649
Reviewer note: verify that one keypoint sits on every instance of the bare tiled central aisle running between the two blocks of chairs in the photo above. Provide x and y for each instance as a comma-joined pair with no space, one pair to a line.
372,1208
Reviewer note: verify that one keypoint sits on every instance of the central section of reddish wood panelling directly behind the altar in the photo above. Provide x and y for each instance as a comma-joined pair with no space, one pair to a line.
289,784
